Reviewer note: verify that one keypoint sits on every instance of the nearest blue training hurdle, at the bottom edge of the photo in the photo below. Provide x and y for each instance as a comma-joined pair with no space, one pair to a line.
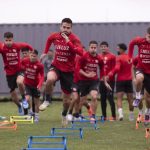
57,145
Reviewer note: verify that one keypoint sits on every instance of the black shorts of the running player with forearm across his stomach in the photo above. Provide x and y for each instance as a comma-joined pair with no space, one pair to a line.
87,86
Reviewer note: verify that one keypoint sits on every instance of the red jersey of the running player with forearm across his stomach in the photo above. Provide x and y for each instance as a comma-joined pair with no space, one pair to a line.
89,63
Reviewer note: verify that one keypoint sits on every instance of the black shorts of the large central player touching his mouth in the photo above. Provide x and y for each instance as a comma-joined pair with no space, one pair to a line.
66,79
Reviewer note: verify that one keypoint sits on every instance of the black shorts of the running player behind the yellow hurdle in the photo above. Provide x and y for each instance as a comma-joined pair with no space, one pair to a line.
32,91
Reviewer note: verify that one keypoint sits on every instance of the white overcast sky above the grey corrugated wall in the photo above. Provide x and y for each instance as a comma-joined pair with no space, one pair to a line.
52,11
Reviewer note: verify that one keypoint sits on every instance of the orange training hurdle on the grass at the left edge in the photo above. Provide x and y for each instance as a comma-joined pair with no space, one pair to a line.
8,125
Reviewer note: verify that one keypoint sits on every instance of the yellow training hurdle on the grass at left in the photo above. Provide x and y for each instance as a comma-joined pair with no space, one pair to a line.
22,119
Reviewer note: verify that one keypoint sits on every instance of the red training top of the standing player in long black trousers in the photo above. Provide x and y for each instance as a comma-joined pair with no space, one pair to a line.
109,61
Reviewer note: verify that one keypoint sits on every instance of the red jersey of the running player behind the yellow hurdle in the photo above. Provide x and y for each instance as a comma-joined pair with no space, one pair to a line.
34,72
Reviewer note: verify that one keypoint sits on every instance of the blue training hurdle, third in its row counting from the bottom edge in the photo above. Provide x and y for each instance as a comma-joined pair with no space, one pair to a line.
84,124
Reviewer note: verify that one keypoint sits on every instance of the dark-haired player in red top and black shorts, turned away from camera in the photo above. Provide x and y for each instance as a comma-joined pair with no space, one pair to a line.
124,81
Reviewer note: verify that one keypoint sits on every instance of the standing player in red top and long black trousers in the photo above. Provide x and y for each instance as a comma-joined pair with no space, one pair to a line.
109,60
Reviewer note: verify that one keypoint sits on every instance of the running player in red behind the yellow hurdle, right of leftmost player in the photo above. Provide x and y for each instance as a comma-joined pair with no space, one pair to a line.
33,79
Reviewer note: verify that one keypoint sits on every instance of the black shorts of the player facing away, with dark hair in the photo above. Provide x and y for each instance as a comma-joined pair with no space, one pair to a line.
124,86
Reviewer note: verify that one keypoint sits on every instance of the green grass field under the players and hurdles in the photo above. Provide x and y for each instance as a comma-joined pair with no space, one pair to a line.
118,135
